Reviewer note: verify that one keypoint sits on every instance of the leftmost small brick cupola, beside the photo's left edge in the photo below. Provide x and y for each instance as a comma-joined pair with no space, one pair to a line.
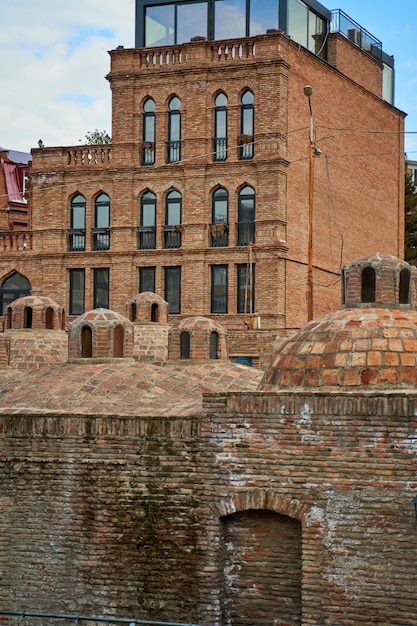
35,312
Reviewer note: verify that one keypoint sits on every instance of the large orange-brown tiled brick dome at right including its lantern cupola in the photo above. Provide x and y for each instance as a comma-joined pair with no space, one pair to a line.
368,344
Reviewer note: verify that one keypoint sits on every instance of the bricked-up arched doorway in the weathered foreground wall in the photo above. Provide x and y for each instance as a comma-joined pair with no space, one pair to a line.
260,552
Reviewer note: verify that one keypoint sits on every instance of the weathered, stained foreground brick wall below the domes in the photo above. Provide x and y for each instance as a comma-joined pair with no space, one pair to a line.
269,507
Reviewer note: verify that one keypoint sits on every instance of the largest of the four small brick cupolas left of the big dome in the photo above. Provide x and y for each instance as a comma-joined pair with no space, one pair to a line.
100,333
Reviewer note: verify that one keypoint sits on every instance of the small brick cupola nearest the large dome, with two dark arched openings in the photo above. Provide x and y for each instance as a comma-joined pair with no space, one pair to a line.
197,338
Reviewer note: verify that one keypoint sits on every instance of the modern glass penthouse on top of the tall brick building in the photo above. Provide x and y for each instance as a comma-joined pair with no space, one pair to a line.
163,22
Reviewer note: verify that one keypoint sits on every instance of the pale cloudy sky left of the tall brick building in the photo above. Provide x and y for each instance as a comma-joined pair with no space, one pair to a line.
54,61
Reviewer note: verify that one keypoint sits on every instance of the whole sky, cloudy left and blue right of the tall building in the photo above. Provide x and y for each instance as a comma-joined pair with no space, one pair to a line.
54,58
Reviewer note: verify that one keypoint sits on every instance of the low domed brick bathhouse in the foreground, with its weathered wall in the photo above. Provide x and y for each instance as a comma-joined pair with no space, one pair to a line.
211,493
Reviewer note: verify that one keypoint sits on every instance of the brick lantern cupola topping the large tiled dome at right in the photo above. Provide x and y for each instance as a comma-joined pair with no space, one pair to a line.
378,280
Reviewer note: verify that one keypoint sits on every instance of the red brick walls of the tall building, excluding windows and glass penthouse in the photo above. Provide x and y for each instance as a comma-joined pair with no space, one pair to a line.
357,188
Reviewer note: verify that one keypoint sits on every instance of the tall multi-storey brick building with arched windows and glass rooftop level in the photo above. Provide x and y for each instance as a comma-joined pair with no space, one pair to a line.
205,191
